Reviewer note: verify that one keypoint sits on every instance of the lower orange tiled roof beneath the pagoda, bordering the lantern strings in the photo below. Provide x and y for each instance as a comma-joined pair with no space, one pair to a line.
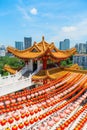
57,72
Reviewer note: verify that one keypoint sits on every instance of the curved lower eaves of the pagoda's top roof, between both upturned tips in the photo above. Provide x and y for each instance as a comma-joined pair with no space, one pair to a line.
31,55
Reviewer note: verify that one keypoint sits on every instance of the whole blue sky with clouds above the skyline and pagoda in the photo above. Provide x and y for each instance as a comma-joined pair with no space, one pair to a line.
55,19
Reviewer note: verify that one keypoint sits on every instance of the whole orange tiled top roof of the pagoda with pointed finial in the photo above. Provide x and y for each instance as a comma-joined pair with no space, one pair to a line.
40,49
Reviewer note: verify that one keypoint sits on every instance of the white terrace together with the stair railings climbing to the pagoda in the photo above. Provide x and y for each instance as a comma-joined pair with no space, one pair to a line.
14,82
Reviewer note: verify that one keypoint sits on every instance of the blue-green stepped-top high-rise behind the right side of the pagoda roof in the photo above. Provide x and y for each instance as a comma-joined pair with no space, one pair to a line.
64,45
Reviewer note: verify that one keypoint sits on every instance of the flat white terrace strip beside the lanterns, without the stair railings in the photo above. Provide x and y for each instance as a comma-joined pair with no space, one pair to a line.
15,86
